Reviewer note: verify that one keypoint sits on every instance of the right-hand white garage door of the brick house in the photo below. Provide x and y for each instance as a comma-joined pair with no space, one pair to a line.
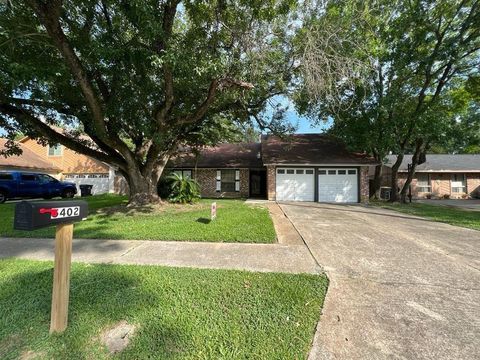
337,185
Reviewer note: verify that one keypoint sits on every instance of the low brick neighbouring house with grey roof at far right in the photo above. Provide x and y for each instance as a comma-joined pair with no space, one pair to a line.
441,176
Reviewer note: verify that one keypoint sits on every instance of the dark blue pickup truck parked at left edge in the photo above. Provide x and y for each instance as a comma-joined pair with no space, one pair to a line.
15,184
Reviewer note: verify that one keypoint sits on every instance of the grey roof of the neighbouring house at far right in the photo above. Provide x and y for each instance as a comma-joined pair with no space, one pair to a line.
441,163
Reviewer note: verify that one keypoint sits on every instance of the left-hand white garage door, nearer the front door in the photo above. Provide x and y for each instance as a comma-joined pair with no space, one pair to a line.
295,184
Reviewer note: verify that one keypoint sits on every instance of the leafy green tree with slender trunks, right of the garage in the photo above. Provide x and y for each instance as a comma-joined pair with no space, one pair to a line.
408,87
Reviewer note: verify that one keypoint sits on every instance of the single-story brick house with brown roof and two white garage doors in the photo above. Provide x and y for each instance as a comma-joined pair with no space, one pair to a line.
303,167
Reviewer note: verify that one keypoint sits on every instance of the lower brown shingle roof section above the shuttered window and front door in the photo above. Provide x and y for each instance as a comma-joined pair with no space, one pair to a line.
243,155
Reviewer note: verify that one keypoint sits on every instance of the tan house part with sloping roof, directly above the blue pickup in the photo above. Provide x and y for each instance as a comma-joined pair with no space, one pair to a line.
28,161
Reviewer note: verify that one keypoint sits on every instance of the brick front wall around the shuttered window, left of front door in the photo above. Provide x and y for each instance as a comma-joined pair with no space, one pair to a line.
207,179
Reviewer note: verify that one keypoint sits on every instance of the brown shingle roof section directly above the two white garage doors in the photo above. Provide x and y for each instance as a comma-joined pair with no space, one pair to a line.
309,149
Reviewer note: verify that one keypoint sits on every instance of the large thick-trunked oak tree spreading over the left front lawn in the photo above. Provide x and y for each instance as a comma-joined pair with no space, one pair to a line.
140,78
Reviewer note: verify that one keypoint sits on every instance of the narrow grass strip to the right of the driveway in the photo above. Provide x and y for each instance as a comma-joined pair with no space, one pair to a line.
452,216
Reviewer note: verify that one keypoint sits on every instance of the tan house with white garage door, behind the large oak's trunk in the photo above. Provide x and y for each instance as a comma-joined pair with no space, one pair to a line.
75,167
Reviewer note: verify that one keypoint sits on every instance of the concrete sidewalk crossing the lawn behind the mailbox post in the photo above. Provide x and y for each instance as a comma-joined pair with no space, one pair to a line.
251,257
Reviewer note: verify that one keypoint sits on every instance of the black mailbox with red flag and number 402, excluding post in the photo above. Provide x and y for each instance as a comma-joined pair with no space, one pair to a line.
31,215
